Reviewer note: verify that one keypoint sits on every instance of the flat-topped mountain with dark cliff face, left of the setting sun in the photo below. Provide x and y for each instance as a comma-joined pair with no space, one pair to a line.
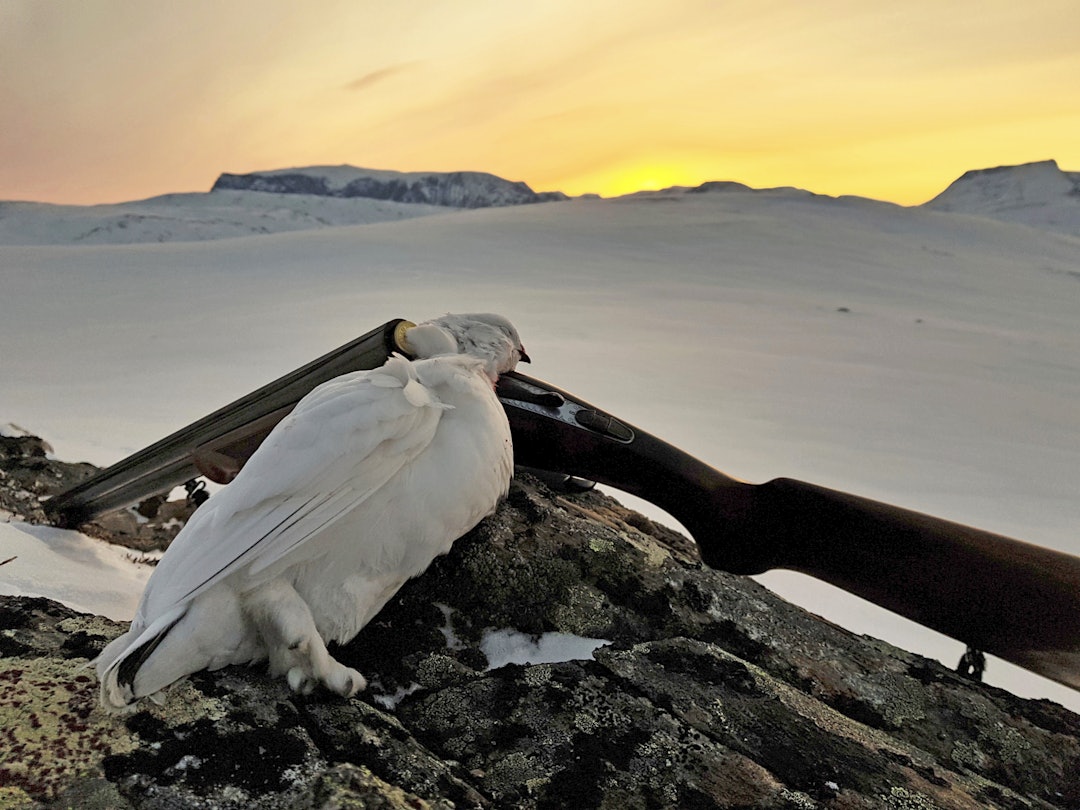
455,190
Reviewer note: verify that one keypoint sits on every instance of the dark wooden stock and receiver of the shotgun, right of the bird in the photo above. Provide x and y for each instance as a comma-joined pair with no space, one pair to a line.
1001,596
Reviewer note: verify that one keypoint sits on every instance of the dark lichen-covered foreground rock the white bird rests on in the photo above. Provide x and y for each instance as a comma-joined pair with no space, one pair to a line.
712,693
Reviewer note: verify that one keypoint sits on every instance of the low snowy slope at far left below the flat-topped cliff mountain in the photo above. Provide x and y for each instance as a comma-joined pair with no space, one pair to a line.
192,218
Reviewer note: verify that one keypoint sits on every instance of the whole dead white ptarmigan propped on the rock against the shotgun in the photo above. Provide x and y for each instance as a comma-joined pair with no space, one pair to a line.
372,477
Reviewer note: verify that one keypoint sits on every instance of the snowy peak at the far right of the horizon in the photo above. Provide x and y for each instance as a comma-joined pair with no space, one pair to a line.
1039,195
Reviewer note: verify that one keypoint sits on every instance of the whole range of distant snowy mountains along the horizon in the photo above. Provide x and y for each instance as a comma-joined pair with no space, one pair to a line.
1035,195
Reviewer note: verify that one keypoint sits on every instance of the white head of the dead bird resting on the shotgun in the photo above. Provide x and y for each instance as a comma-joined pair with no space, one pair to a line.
489,337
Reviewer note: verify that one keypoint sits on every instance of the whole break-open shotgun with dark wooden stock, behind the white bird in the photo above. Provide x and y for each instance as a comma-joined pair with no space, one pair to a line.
1004,597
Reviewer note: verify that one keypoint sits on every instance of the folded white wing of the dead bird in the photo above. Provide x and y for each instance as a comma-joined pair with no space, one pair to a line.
341,444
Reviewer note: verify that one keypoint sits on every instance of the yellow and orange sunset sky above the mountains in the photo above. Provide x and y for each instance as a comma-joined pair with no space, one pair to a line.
109,101
